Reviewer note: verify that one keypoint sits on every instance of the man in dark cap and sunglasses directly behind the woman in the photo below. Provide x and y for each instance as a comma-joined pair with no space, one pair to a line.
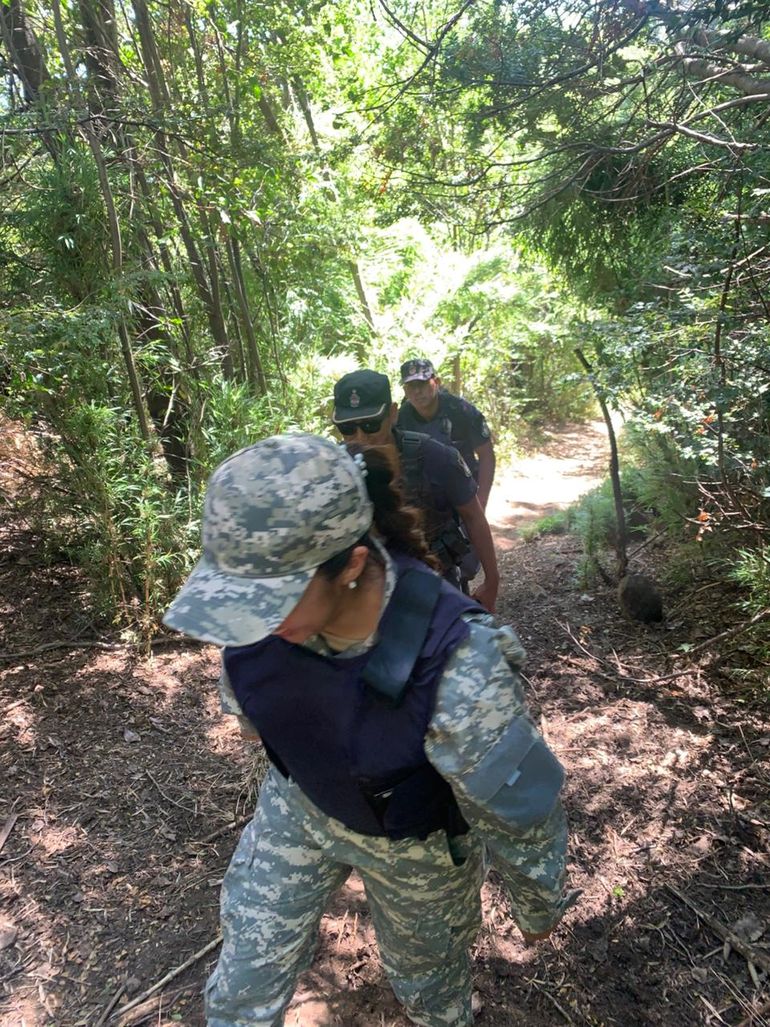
436,479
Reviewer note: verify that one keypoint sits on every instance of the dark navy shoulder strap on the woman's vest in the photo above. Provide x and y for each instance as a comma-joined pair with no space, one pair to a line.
403,635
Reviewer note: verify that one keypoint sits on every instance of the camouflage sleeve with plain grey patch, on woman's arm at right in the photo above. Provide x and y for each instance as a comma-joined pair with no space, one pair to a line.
478,736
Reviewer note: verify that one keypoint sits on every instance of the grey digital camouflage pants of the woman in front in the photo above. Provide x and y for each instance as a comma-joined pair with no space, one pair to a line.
427,912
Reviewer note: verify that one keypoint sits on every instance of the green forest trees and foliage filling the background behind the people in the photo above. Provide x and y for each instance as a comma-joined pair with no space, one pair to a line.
543,182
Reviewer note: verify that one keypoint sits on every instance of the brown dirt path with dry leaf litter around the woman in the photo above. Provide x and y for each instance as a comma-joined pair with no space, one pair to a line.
119,771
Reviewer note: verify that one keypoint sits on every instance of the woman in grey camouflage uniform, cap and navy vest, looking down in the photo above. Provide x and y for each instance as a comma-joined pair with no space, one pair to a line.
392,709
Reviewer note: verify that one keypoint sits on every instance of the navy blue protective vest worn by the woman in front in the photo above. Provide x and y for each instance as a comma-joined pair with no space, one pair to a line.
356,756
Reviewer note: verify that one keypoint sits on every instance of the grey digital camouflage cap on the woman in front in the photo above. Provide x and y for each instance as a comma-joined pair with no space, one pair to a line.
274,514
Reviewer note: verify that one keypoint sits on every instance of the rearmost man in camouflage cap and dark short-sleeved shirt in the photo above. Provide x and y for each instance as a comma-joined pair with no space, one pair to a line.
448,419
